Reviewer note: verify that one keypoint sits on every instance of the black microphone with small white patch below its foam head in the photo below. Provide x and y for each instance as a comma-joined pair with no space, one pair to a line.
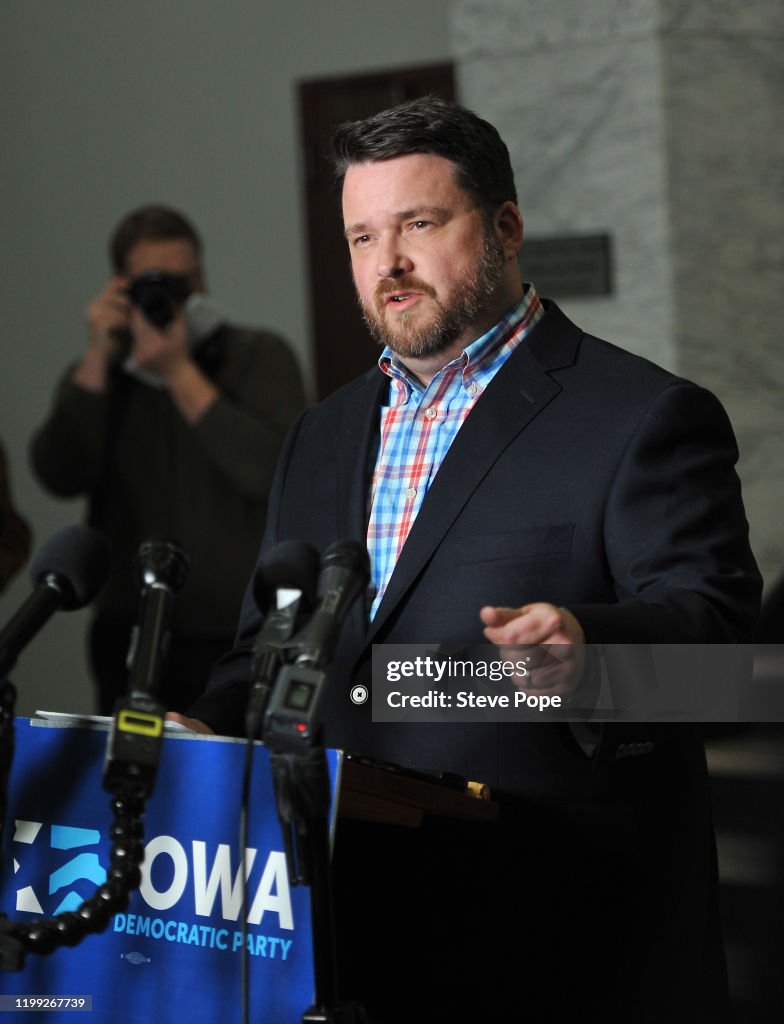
285,589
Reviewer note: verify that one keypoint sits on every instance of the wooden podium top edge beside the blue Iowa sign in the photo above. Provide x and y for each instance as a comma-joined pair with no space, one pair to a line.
388,794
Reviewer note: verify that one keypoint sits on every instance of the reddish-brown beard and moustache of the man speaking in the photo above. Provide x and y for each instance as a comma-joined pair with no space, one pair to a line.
467,303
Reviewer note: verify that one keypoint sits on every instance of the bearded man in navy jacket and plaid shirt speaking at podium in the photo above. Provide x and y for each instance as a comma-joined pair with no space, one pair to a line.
516,482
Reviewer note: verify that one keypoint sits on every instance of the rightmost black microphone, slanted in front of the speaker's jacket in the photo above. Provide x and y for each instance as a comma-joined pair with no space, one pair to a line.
344,575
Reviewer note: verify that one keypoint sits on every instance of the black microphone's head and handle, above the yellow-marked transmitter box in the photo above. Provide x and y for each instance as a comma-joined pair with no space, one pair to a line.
161,573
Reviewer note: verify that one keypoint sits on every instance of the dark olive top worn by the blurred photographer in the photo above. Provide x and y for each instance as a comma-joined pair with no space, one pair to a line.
147,474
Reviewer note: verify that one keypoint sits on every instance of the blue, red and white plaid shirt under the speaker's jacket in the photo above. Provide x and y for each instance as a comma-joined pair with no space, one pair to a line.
419,425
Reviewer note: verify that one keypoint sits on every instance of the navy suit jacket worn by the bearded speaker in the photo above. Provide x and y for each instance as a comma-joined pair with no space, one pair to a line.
585,477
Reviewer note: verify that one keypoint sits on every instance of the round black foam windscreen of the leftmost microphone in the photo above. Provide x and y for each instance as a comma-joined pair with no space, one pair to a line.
78,556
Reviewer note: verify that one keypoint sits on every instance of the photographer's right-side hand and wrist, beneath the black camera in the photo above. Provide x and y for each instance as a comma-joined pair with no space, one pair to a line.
167,354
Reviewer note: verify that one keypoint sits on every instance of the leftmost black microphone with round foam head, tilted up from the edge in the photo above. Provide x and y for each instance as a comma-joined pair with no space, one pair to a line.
68,573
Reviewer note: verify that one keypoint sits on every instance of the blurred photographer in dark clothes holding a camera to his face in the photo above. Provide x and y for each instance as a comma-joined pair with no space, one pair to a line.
170,425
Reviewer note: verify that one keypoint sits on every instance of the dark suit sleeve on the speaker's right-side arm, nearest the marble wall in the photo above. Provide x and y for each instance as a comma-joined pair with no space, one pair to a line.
676,532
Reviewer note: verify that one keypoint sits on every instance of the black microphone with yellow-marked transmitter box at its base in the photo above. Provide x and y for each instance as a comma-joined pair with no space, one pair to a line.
134,750
